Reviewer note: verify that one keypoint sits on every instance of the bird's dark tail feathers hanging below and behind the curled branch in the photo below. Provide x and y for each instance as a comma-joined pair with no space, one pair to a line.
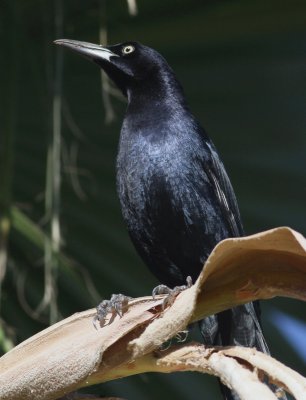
239,326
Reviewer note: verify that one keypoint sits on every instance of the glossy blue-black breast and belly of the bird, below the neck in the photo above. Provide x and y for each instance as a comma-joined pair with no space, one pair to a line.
168,200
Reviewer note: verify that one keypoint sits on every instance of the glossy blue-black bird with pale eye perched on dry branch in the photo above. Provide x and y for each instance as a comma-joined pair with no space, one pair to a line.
175,194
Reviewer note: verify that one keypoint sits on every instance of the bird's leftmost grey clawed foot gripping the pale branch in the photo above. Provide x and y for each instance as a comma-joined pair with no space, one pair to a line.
117,305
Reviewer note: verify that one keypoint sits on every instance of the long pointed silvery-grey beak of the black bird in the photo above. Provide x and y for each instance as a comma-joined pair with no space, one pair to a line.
88,50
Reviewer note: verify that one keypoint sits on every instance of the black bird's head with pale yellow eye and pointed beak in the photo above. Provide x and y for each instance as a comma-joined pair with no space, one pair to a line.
128,64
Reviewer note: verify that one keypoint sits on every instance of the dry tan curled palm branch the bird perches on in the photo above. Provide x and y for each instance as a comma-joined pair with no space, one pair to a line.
73,354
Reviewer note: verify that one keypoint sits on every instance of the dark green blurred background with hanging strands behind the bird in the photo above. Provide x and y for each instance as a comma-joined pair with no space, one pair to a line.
243,67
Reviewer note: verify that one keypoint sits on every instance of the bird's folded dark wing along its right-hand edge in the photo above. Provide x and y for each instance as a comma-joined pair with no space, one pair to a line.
224,192
